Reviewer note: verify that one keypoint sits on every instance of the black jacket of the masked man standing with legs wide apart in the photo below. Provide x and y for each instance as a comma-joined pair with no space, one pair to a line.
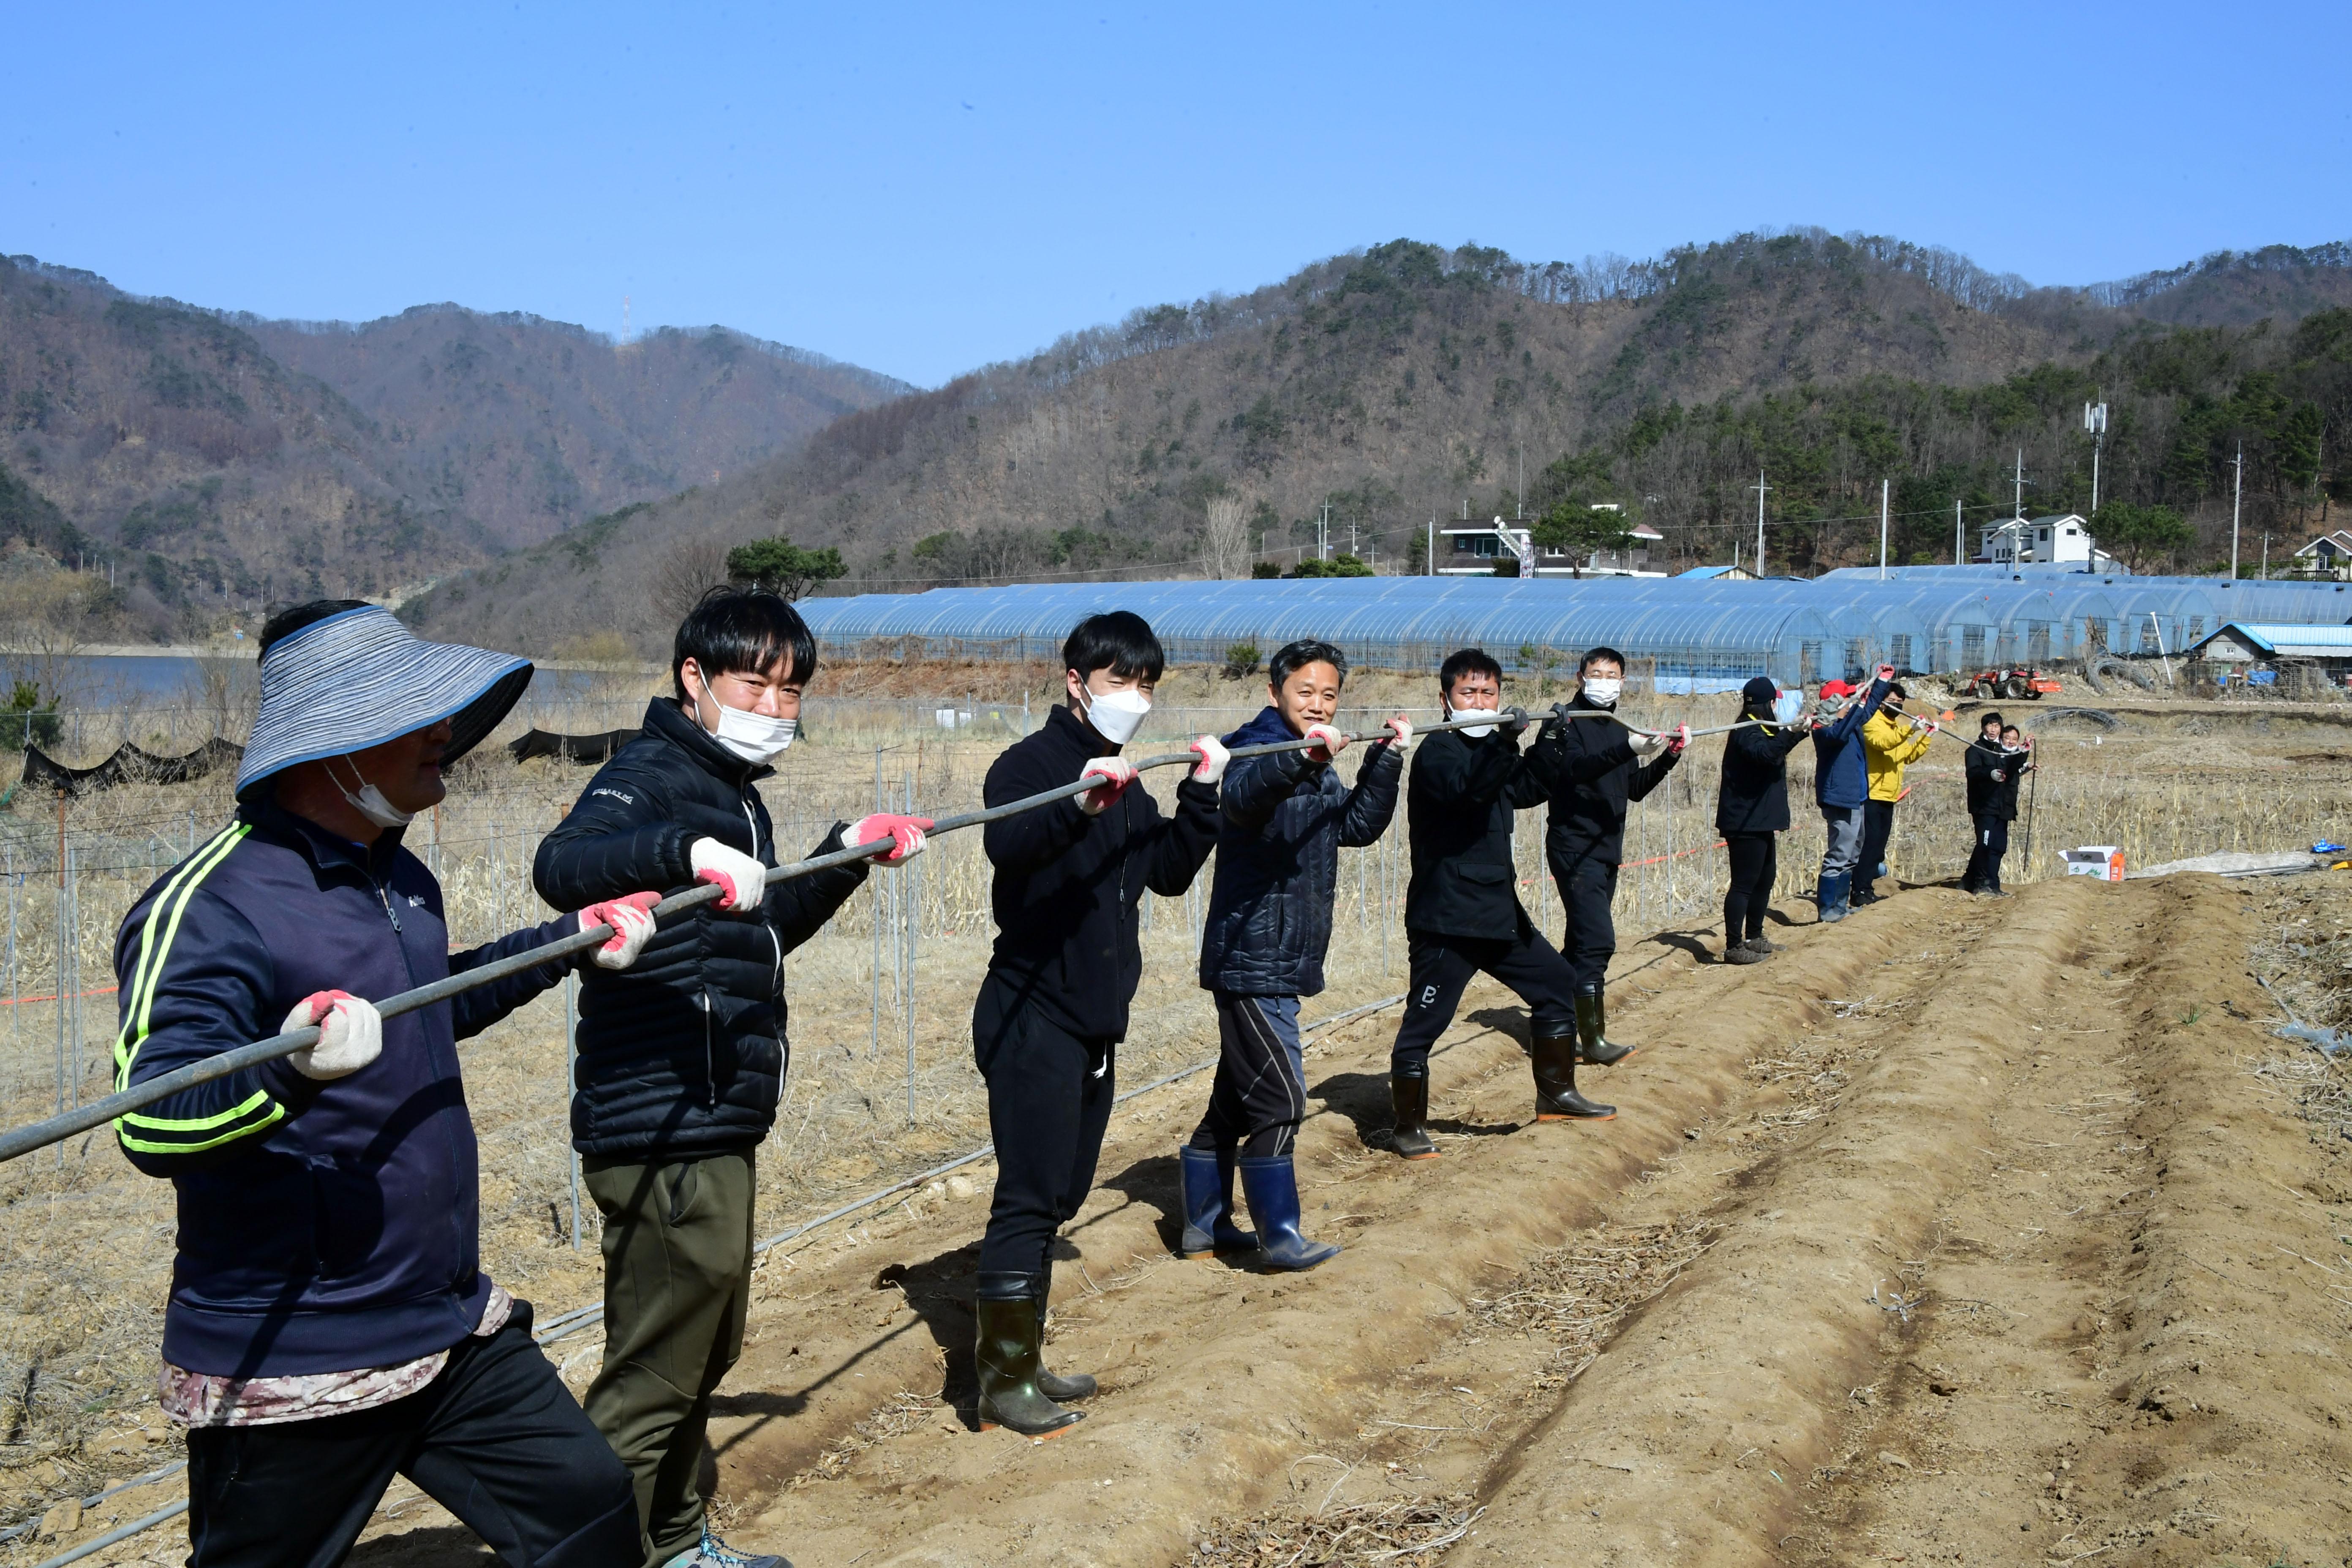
1459,812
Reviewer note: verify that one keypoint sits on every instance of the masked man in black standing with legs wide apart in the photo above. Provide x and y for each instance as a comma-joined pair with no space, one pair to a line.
1462,906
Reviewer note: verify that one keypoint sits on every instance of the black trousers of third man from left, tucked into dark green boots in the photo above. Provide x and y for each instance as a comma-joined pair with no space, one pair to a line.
1048,1106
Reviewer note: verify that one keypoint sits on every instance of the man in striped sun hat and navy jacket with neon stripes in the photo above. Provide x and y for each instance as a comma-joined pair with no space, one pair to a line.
330,1325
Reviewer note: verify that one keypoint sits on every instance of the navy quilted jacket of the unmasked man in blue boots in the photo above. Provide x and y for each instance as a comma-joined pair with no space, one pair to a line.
1278,862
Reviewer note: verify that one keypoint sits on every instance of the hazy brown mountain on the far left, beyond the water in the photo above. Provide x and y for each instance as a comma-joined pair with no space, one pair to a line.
220,460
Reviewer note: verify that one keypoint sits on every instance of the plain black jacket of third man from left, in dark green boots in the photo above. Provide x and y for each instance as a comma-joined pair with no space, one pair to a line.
1069,885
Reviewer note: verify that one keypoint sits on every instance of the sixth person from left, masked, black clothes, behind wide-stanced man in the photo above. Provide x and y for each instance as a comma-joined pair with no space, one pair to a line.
1586,838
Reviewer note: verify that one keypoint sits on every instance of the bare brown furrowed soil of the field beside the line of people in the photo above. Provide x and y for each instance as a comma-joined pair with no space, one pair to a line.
1958,1233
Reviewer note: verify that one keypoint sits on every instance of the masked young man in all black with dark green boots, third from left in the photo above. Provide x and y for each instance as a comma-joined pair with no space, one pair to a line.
1067,965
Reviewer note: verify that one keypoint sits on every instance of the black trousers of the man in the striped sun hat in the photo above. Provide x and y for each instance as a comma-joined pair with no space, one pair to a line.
497,1440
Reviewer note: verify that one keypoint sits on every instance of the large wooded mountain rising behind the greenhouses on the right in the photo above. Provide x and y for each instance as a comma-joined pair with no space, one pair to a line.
1412,382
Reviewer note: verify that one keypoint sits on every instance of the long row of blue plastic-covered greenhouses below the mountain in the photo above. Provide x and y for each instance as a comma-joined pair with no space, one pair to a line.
1699,636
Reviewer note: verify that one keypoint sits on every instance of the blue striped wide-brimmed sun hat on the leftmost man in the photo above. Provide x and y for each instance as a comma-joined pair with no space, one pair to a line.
359,678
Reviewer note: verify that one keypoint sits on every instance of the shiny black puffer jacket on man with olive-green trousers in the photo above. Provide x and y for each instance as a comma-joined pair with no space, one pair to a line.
686,1052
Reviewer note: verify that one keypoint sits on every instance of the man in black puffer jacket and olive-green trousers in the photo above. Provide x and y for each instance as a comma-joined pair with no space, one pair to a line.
683,1059
